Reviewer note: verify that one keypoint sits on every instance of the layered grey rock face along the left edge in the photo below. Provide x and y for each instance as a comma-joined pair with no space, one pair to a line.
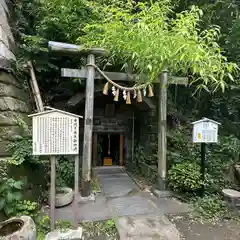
14,101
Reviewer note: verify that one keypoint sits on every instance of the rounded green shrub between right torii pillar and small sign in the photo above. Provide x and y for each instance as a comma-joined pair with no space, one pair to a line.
185,177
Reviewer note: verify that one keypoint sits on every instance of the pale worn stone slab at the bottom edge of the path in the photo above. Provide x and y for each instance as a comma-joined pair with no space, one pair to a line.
146,228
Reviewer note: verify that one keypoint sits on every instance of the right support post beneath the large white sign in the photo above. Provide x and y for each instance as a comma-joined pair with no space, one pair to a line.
76,191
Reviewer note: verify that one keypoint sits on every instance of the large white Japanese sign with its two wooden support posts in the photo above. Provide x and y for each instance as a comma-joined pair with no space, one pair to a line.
56,133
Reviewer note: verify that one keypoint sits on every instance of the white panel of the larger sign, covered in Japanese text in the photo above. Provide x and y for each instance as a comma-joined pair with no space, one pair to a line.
55,134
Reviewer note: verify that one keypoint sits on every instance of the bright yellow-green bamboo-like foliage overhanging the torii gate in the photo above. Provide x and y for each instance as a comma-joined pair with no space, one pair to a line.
154,41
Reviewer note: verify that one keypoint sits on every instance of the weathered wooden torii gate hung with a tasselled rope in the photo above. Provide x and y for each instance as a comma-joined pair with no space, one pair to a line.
89,74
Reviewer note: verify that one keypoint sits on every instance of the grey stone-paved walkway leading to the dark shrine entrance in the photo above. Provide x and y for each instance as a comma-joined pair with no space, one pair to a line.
138,214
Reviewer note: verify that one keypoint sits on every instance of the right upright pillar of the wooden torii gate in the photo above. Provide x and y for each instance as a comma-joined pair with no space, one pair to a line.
162,129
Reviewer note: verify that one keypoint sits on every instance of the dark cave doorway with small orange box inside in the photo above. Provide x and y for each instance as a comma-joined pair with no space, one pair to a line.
108,149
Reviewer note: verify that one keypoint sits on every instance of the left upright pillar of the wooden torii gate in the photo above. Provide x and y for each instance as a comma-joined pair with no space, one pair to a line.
88,125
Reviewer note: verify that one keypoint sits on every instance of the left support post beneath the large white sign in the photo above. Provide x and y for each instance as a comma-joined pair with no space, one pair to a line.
52,191
